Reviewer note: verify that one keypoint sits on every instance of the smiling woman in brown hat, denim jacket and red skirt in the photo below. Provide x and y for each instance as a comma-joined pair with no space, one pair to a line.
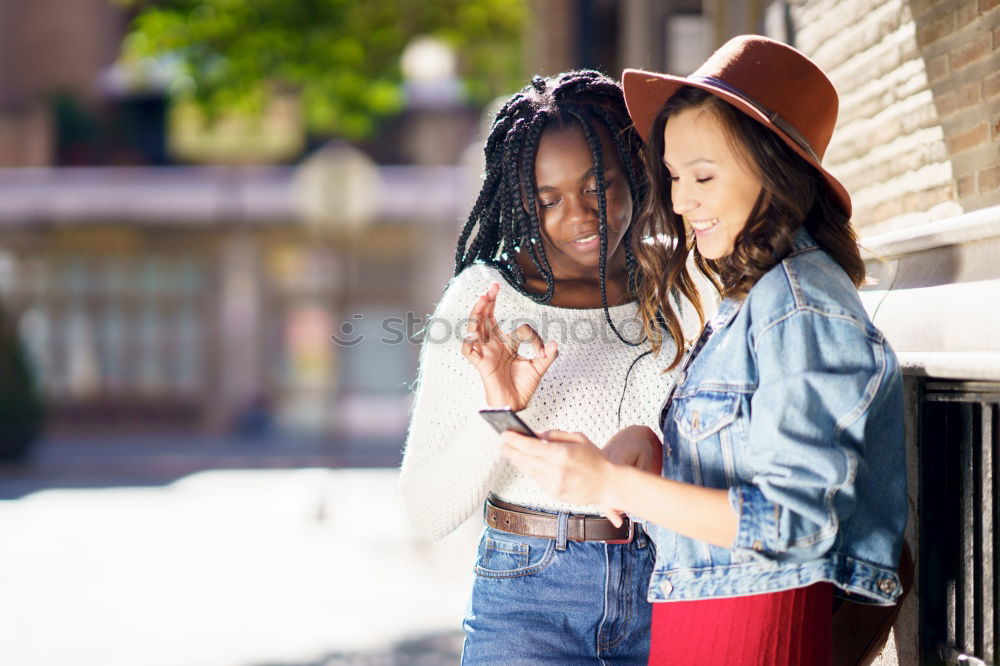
783,470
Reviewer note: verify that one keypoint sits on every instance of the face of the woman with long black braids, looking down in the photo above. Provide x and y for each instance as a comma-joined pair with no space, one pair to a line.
567,202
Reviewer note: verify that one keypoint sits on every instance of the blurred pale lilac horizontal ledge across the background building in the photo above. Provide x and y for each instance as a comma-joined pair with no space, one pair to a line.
209,195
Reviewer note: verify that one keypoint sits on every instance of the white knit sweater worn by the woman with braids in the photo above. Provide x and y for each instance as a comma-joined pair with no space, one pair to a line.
452,458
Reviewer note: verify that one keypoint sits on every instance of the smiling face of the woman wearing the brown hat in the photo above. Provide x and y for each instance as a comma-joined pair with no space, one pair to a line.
712,186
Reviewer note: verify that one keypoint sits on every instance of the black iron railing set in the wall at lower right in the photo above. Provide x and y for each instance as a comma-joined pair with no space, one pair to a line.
958,514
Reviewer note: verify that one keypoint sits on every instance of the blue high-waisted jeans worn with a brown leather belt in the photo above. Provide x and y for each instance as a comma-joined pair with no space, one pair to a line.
538,601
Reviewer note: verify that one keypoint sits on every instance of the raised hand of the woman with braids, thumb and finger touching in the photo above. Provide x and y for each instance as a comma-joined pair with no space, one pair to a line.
509,379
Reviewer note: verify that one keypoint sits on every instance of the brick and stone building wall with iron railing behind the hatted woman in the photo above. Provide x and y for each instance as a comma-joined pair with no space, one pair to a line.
918,147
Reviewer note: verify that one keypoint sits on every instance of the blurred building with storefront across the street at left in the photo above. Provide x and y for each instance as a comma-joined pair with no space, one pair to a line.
156,296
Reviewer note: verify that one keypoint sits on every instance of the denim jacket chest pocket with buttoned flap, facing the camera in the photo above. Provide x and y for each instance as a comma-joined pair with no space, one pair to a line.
704,421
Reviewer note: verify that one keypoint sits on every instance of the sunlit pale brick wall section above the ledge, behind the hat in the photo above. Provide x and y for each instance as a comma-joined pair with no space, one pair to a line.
918,138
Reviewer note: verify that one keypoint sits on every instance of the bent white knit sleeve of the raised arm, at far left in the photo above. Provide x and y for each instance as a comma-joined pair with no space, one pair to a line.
451,454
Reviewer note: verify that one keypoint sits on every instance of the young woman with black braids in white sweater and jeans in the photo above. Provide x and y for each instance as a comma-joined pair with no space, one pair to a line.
546,254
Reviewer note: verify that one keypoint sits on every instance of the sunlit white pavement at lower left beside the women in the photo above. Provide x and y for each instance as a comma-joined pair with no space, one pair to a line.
304,567
